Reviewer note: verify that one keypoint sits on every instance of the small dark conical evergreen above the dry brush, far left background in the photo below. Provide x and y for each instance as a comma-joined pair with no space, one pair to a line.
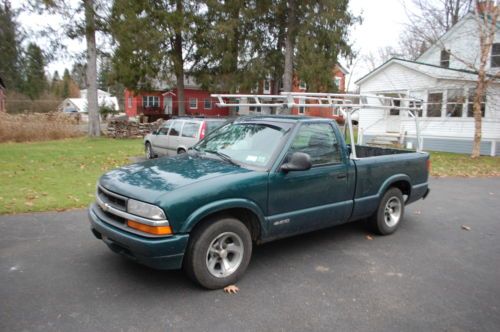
36,82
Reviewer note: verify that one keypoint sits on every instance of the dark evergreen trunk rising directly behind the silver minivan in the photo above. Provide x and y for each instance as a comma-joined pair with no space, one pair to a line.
179,62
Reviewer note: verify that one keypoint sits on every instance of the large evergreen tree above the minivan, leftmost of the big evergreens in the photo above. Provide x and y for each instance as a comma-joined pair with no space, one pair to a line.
154,41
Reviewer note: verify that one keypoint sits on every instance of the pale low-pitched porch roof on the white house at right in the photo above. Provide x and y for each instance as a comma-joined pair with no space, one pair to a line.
425,68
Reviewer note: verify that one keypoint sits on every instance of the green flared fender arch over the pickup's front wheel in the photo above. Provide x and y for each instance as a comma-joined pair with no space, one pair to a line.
219,206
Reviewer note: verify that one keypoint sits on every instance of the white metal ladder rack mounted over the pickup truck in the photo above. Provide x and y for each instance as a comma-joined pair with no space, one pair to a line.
347,104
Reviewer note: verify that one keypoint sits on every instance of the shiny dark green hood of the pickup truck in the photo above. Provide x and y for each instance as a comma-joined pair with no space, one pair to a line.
147,180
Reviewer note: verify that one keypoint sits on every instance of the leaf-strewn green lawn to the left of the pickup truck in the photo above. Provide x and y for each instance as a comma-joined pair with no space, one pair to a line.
57,175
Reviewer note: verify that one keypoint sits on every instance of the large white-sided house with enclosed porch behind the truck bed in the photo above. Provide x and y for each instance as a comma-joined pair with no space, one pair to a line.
442,79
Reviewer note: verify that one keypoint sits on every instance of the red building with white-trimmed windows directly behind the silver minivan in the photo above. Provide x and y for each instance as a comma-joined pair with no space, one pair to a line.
164,102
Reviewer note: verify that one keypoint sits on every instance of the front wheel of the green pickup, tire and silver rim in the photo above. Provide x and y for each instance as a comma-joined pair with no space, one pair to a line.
218,253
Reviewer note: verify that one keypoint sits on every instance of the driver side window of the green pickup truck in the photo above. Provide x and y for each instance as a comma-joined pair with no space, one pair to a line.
319,141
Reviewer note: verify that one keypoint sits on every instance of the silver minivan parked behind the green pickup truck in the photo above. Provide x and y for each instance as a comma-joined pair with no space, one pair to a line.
176,136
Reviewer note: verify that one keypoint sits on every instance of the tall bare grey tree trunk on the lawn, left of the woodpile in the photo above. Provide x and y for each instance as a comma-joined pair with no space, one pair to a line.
92,106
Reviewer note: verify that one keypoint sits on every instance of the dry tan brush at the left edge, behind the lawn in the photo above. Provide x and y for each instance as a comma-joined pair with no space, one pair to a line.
37,127
